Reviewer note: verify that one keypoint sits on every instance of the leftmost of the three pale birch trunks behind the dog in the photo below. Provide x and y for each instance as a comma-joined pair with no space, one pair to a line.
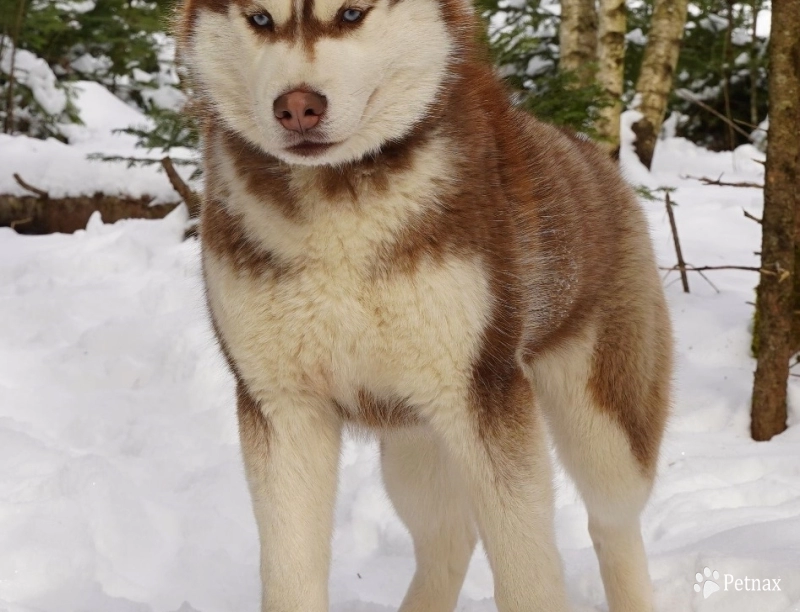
578,39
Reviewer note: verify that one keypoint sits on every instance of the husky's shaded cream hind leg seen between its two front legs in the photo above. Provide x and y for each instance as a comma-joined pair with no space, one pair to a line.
431,501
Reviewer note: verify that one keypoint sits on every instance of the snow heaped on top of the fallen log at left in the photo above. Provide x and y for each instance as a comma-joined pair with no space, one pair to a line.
66,170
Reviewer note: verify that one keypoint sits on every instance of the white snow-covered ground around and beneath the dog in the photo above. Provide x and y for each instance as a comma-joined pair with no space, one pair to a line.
121,486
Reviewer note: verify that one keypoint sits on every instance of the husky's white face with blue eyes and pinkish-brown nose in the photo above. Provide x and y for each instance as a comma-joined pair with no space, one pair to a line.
318,81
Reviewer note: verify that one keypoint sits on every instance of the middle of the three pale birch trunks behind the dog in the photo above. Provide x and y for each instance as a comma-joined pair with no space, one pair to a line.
611,62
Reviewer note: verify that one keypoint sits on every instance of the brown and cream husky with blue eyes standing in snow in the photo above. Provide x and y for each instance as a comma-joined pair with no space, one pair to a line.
389,244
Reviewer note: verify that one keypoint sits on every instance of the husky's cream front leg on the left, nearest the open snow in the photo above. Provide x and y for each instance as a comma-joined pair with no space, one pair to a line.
291,454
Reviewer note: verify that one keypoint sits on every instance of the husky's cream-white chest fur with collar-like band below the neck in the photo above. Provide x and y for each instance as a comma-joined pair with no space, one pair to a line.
327,328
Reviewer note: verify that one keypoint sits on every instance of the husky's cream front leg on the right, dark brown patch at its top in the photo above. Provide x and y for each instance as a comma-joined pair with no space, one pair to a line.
497,441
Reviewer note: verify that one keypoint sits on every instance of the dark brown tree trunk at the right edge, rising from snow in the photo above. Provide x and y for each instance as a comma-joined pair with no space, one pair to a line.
781,203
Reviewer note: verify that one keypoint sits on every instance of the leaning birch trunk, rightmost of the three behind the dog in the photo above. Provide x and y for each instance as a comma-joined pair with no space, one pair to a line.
657,72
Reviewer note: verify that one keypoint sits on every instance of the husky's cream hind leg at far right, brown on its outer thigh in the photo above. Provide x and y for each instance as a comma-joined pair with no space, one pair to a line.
611,464
